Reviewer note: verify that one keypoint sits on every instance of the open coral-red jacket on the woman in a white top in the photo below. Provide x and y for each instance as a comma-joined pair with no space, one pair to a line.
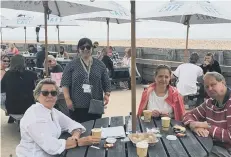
174,99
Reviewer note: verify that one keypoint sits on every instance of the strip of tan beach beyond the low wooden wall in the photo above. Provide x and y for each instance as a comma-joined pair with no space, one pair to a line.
155,43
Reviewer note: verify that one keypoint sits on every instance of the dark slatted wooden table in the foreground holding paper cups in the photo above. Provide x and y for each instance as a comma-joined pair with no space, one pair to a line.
189,146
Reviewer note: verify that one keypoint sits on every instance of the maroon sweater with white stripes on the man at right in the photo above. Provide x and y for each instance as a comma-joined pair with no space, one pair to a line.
218,118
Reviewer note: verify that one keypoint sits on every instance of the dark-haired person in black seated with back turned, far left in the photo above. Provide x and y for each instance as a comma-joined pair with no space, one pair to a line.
18,84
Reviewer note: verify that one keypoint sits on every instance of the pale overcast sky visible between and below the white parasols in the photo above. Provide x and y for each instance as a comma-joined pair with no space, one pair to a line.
154,29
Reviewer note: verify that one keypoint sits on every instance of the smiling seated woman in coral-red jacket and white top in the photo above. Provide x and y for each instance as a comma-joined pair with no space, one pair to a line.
161,98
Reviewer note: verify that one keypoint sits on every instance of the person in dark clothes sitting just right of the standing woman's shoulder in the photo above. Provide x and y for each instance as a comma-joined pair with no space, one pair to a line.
107,61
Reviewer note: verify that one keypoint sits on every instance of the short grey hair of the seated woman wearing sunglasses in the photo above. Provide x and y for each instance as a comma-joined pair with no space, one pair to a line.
39,86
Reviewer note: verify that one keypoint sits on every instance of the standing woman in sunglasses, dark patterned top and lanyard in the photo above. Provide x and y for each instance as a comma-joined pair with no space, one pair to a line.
84,79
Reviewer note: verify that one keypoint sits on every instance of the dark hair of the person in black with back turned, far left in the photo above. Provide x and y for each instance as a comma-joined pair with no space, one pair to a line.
17,63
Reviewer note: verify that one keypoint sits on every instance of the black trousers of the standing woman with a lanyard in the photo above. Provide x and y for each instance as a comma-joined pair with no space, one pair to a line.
81,115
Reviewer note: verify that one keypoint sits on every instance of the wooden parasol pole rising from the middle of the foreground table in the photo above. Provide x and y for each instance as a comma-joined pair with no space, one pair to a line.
133,63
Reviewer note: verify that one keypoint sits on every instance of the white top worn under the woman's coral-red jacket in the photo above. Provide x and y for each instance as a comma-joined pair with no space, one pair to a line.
158,103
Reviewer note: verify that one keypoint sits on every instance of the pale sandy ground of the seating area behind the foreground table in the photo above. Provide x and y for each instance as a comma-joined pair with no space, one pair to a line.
119,105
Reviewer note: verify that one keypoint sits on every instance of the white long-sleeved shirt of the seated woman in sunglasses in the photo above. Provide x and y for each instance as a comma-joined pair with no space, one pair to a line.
40,129
